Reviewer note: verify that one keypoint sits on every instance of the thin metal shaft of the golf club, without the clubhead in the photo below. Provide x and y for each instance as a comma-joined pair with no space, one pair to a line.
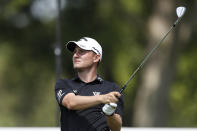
148,56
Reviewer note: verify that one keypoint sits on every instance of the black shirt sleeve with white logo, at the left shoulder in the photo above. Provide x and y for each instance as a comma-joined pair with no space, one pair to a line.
61,89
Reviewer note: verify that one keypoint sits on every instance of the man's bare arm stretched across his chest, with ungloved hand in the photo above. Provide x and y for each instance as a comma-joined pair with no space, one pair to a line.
76,102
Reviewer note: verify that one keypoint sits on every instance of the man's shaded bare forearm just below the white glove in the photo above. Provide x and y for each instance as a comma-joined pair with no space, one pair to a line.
114,122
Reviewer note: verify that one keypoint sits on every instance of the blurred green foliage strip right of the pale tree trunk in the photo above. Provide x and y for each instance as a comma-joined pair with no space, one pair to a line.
183,92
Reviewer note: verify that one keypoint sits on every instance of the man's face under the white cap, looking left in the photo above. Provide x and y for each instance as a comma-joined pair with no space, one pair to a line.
83,59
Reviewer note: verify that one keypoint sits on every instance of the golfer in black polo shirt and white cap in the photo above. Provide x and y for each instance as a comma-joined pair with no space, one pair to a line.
87,102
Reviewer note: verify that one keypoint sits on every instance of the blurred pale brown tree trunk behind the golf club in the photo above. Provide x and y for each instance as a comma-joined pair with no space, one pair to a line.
151,105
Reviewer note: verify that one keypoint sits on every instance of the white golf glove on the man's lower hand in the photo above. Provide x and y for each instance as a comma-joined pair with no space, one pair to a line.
109,109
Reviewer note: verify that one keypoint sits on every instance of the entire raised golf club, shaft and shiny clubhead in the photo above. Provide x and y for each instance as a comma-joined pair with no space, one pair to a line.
180,11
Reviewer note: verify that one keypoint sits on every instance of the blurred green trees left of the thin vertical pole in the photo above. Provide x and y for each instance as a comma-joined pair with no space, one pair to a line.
27,76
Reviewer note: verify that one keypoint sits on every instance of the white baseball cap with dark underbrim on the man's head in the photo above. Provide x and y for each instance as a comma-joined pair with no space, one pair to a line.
86,43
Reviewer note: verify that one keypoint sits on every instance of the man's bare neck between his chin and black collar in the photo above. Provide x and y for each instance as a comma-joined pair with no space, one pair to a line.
87,75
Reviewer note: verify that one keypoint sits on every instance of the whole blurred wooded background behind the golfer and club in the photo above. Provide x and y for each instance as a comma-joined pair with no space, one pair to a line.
33,34
